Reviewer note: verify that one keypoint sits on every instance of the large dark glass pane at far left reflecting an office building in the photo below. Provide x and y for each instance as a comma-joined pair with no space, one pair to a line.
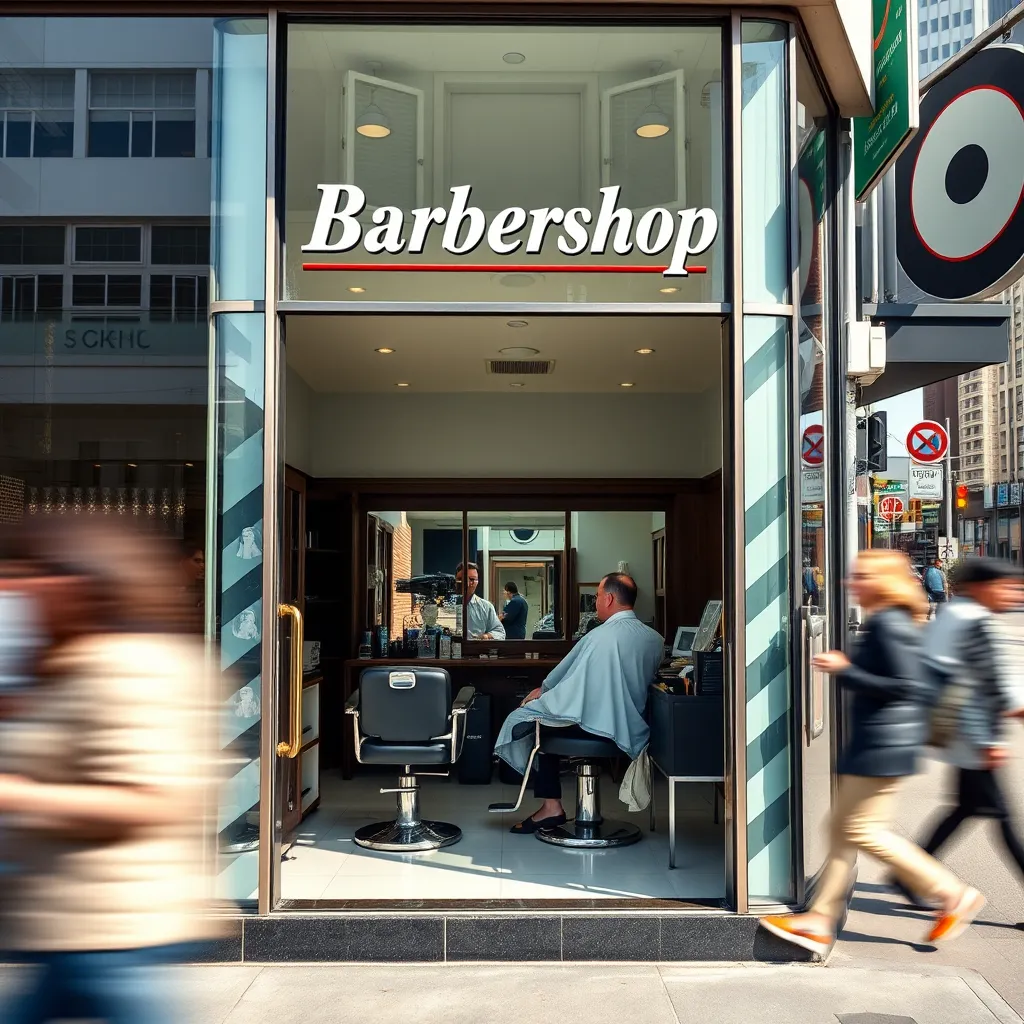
105,272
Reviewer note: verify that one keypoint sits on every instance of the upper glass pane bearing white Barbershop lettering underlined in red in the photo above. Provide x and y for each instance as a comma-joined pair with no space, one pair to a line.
502,140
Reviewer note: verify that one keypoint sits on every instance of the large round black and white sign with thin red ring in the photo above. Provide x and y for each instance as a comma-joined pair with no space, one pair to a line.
960,222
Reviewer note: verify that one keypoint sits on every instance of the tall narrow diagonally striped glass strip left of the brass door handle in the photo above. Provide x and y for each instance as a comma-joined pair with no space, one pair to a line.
240,133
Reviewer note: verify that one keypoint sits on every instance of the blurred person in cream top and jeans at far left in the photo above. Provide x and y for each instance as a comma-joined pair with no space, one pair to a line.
104,783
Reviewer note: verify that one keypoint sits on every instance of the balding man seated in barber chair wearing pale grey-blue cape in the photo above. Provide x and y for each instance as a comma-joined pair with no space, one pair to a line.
601,688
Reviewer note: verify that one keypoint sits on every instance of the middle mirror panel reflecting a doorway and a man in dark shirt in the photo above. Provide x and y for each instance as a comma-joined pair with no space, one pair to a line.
521,575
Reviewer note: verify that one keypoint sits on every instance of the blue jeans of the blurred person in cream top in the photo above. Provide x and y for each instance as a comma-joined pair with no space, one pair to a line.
122,987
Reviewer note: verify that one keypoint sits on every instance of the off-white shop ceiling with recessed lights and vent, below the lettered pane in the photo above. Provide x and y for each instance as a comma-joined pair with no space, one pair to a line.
448,355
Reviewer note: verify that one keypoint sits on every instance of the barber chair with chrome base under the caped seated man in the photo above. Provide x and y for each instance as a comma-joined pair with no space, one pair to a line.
589,830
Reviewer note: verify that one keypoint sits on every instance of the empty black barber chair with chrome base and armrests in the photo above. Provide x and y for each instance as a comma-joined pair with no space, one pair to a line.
406,717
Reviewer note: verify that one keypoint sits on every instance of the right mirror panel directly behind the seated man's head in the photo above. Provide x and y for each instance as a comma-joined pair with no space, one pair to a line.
619,542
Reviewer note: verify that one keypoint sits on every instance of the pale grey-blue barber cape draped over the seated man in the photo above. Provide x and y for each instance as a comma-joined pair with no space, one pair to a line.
602,686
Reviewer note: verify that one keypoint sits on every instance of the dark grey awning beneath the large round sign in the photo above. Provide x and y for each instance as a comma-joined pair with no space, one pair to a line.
932,343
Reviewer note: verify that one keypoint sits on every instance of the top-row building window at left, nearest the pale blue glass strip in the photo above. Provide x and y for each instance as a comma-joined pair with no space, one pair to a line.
141,115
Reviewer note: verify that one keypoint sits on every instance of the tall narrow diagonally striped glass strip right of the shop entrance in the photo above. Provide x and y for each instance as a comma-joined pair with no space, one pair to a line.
767,468
